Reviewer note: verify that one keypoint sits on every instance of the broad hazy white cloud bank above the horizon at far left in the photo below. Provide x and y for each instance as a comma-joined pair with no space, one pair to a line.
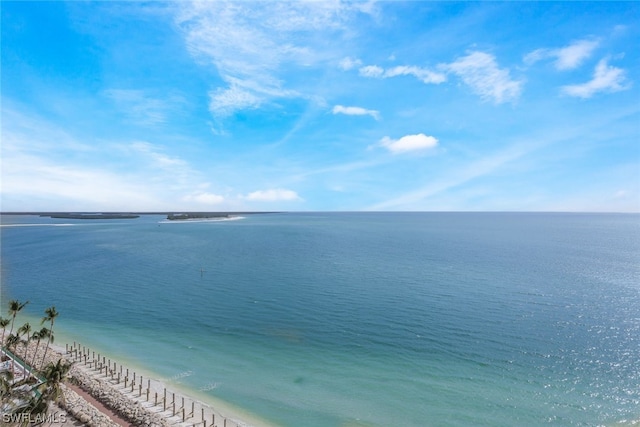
46,167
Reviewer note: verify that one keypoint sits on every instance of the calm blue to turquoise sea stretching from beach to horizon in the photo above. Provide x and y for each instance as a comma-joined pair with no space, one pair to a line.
356,319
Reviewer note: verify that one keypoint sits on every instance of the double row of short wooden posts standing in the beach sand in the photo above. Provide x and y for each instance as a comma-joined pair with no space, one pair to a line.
99,363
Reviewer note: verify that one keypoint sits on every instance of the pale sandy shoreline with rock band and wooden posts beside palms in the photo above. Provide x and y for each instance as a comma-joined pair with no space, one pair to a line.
100,392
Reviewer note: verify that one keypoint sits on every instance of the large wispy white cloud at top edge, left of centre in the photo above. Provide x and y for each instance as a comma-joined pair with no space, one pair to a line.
249,44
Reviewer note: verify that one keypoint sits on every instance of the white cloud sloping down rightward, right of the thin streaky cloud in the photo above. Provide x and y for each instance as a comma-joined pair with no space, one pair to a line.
480,71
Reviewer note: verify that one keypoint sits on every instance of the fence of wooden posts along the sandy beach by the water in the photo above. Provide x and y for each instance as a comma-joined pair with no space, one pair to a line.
149,393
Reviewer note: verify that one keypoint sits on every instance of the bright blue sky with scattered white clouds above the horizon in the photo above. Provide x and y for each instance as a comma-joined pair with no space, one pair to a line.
471,106
